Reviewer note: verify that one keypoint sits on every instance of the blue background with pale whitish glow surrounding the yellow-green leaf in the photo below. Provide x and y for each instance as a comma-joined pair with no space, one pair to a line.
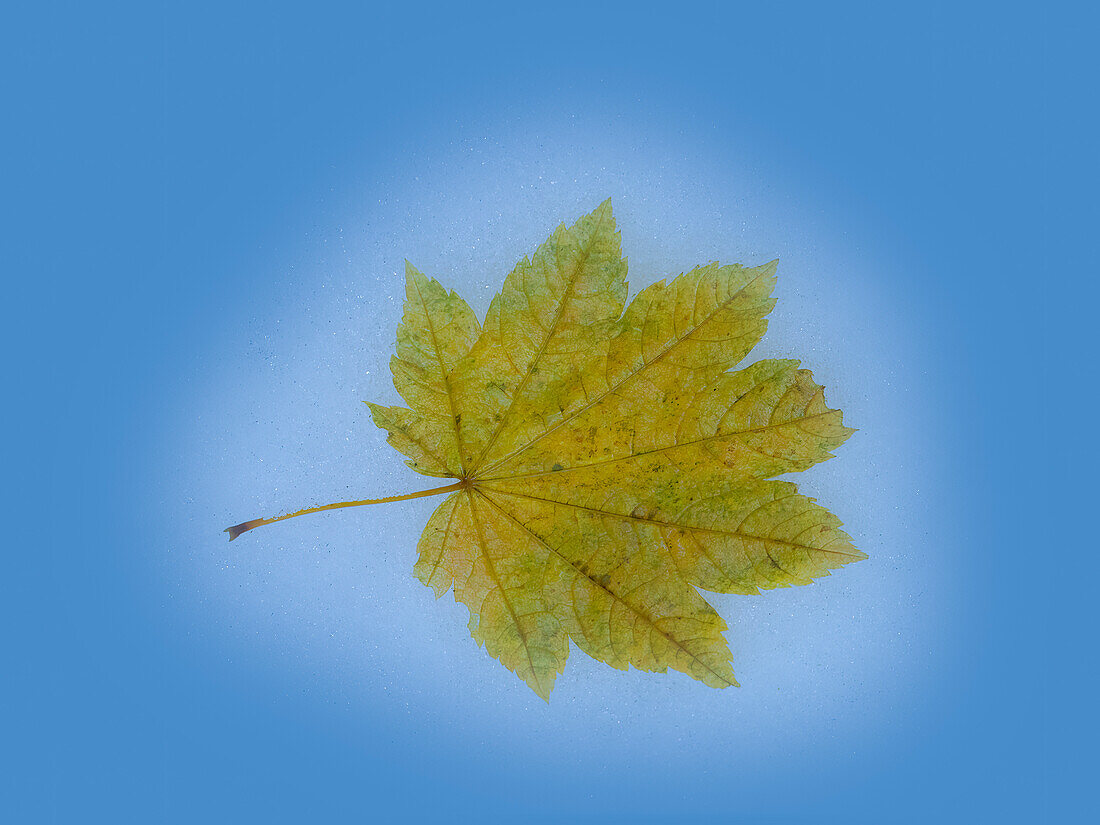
206,210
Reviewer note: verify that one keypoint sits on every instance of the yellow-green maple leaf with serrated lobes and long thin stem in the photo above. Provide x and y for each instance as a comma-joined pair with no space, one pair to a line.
608,460
